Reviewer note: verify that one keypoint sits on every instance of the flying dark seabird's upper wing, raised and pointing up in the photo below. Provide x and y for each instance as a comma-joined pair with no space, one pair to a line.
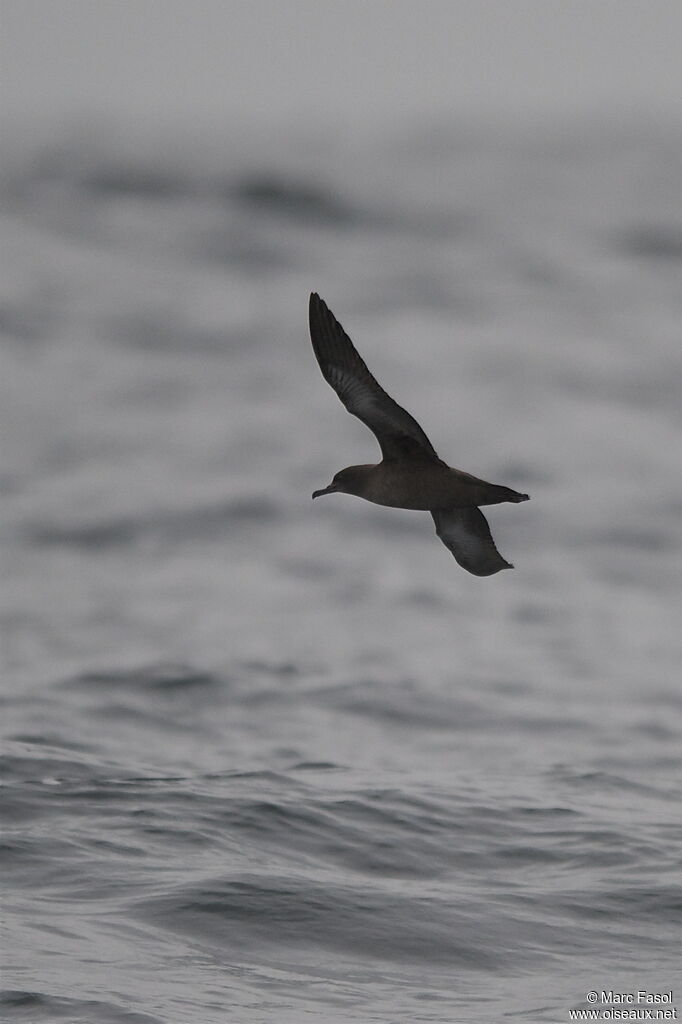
398,433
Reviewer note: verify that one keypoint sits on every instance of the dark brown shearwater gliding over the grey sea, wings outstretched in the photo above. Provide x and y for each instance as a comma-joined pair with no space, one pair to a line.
411,476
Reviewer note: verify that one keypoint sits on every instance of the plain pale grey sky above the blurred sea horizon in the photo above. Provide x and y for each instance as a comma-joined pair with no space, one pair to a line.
359,61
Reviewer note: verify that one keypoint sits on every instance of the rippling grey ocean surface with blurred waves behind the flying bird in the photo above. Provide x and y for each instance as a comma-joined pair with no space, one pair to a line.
270,762
